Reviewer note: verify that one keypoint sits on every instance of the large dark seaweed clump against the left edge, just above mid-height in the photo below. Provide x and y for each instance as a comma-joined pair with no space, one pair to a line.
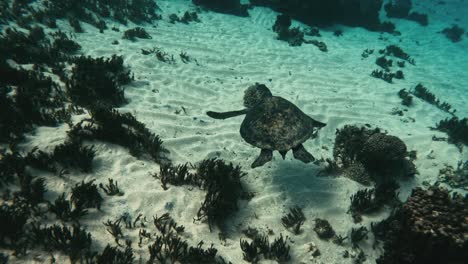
35,100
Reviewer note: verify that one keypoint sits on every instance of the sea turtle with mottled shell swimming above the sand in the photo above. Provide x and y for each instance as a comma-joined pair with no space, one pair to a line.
273,123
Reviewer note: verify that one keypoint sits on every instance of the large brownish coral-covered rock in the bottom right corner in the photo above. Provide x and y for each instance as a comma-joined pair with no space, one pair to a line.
430,227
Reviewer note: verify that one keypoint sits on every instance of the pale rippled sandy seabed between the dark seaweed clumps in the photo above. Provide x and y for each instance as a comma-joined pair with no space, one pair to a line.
233,53
